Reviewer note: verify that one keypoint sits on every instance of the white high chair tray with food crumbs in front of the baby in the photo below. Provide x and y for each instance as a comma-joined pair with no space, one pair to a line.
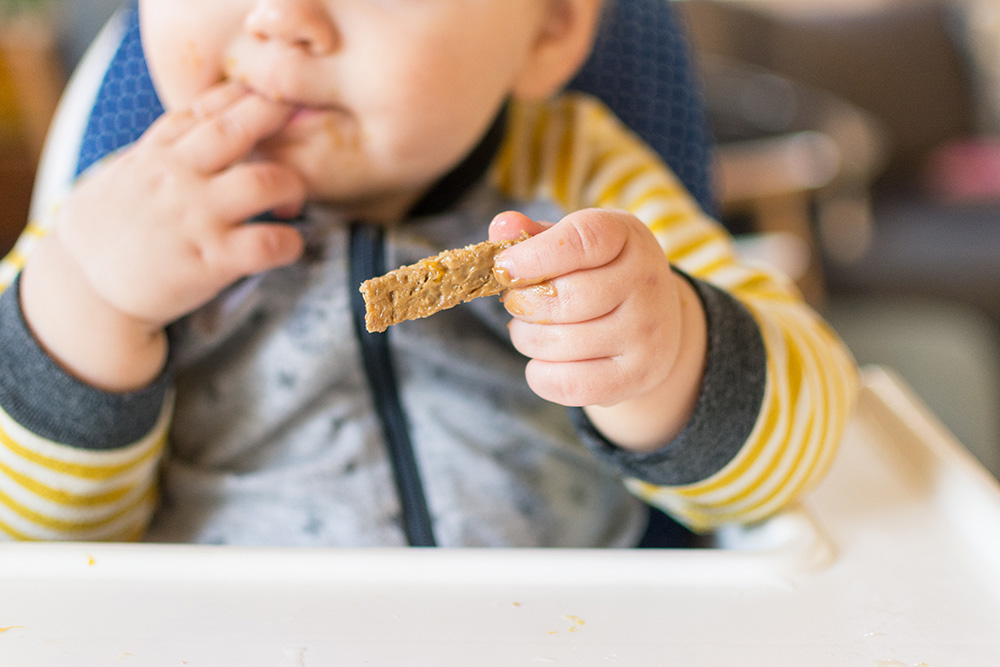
893,561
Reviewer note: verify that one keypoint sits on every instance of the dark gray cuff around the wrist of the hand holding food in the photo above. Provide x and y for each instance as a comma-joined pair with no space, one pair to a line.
727,408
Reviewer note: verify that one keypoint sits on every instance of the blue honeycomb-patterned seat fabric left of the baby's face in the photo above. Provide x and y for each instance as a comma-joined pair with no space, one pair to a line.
126,103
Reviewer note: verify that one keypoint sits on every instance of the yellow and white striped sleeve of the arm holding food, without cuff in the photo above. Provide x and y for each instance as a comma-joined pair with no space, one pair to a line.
574,152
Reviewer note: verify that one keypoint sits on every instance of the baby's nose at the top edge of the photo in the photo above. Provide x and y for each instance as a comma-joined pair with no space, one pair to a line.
304,24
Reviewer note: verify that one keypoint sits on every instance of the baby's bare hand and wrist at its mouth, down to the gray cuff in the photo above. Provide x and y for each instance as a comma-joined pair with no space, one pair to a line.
155,232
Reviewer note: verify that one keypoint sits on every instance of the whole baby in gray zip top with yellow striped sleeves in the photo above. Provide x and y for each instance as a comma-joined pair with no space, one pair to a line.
182,350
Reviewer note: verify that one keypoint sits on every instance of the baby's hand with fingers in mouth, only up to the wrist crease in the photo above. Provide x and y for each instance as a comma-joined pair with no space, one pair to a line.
159,230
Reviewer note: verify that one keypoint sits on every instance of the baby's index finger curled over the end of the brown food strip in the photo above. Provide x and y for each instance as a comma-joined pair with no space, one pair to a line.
582,240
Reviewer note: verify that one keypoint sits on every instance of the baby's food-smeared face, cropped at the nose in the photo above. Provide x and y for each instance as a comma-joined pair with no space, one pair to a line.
390,94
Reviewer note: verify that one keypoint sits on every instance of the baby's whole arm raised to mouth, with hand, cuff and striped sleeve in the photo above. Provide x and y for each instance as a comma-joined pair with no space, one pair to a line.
144,238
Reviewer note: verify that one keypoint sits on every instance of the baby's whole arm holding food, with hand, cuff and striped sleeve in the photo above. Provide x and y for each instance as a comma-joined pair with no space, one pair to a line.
777,386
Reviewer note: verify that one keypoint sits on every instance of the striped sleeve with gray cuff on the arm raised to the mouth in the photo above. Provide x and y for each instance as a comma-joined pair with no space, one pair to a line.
75,463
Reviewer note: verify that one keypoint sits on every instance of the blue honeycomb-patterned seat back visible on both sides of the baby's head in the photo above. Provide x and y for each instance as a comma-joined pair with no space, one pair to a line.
641,69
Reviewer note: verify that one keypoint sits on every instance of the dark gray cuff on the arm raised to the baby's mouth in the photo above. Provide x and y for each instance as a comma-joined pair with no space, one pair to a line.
40,396
